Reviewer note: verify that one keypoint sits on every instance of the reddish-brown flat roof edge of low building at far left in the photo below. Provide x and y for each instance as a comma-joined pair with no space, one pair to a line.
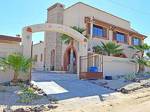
10,38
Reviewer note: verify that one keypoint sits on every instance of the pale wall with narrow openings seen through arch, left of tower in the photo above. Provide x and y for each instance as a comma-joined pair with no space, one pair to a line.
38,50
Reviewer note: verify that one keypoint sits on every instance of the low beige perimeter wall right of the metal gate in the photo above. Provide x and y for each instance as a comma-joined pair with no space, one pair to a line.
118,66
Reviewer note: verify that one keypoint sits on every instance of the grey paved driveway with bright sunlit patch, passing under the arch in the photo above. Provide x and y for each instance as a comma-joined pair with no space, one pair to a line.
66,86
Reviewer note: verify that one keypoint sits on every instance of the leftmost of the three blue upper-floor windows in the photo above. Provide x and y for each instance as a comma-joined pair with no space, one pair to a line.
99,31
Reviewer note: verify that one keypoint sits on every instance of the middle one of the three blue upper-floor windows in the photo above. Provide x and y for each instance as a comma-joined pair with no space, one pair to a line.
120,37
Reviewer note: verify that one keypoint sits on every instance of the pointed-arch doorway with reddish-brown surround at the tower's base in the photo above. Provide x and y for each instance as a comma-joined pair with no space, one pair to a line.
70,59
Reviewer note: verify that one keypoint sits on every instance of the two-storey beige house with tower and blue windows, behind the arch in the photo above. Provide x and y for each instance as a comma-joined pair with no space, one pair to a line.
99,26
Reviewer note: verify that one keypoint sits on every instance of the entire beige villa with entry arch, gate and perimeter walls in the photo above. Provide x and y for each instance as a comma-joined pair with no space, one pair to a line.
78,56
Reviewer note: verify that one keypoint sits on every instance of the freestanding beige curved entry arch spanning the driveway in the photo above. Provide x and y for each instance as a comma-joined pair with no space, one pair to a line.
27,38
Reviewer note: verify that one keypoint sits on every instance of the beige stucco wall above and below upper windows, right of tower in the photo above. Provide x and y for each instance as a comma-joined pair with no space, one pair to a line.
75,16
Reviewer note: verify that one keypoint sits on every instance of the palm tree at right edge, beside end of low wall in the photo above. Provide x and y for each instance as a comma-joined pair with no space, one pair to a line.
139,56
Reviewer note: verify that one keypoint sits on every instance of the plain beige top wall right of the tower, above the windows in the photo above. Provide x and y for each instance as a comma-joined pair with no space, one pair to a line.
75,16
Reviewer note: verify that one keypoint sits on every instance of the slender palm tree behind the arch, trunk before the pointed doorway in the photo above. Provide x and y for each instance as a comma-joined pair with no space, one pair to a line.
69,40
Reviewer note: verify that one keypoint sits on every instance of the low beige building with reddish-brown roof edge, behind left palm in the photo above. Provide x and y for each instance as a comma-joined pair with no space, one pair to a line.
8,45
